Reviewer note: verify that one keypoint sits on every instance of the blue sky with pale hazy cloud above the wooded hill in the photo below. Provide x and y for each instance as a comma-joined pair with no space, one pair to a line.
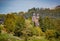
7,6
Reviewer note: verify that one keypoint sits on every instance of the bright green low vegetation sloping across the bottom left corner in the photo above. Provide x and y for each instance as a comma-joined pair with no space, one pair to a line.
8,37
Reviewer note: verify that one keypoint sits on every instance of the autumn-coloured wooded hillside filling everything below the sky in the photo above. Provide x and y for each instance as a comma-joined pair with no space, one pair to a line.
19,26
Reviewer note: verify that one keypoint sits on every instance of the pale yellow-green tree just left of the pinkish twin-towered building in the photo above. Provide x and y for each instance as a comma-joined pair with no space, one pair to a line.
27,30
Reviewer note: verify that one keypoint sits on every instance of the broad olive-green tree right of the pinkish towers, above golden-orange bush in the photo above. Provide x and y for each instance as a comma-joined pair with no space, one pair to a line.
47,23
